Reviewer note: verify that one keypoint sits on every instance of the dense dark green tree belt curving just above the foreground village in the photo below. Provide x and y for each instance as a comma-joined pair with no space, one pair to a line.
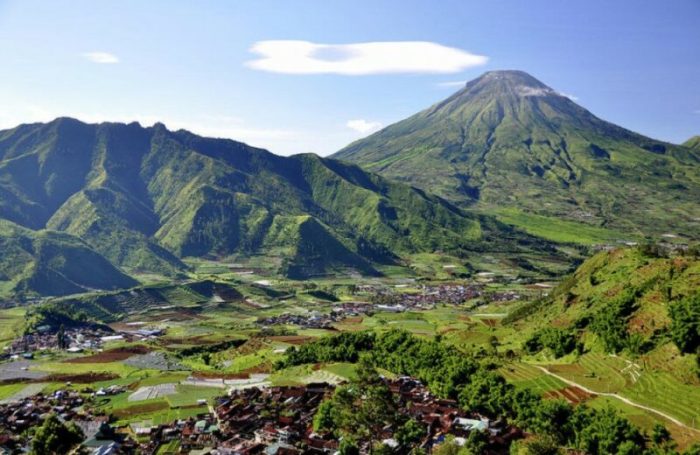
477,387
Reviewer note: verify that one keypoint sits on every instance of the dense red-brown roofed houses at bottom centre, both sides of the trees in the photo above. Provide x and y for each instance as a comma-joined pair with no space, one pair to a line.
279,421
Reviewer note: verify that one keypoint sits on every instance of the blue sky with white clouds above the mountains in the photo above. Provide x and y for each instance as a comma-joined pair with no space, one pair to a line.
188,64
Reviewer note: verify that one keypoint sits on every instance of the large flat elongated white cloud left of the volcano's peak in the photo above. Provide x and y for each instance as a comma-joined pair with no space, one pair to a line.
382,57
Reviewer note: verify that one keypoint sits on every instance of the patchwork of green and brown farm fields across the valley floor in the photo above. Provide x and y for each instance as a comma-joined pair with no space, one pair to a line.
209,340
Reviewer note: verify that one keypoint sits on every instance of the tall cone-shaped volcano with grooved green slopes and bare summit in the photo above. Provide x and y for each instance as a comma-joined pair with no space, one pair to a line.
507,141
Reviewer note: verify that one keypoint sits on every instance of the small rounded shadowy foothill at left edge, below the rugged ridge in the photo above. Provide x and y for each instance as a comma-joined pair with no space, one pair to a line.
52,263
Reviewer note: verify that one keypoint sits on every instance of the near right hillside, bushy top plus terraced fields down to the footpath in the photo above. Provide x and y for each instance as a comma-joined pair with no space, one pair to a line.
626,322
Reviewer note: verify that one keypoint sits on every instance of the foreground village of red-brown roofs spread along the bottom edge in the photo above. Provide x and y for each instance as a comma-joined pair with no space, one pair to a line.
251,420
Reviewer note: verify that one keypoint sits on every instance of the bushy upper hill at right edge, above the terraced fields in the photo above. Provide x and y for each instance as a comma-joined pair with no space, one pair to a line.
642,302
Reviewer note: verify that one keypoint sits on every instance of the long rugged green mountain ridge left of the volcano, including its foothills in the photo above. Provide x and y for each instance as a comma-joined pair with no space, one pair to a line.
83,205
